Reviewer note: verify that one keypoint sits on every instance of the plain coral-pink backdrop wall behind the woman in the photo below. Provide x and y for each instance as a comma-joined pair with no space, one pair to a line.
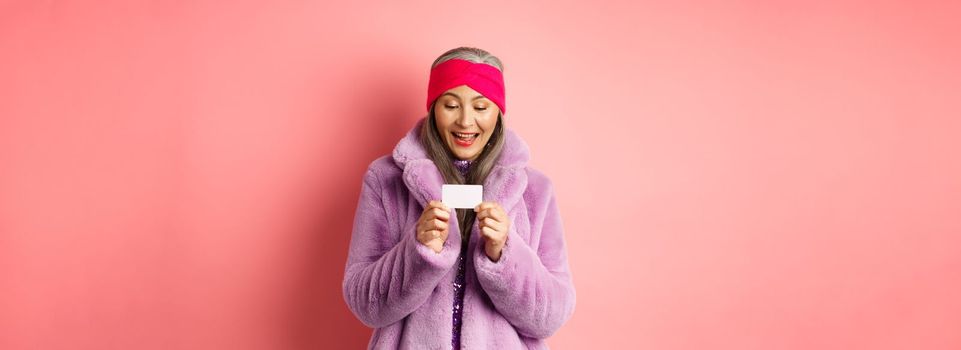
752,175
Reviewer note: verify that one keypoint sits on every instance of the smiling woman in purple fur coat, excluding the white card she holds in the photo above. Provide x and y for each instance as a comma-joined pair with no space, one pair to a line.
495,277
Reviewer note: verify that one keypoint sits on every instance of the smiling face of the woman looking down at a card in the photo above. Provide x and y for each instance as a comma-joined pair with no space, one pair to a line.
465,120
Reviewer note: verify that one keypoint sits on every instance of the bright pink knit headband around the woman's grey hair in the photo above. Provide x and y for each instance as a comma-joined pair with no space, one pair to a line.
482,77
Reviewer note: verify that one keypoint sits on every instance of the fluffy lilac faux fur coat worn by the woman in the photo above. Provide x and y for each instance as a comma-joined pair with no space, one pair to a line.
404,290
